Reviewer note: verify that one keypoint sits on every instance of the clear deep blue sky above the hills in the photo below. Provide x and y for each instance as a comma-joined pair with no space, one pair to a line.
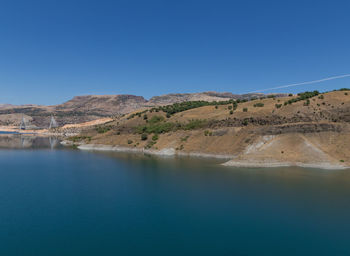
53,50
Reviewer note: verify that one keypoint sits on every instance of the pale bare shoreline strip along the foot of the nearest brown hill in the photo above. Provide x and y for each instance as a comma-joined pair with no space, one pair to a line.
232,162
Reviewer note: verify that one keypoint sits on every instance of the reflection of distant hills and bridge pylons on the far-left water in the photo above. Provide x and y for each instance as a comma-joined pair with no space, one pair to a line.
20,141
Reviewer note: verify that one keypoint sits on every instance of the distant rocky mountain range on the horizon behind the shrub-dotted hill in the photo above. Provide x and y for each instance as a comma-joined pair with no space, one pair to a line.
91,107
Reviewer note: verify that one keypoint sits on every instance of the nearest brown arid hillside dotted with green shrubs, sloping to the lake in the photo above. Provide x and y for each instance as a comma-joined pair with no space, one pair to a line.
309,129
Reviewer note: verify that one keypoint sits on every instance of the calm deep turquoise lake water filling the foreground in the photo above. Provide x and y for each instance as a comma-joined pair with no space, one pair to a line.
56,201
